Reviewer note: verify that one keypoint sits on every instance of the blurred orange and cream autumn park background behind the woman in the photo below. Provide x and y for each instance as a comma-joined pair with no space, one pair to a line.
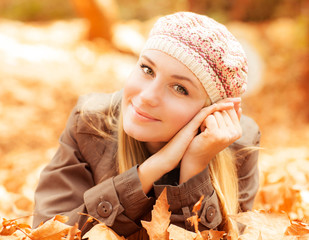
53,51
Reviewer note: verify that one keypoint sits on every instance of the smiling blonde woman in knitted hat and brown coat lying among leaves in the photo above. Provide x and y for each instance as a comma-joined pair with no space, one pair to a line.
175,125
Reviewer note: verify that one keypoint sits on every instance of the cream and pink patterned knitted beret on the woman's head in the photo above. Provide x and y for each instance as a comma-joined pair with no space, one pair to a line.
207,48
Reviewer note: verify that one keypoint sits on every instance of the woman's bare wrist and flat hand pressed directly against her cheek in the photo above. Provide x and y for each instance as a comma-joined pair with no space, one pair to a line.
170,155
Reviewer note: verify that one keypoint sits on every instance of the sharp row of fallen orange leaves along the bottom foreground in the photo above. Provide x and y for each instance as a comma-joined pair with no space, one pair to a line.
259,225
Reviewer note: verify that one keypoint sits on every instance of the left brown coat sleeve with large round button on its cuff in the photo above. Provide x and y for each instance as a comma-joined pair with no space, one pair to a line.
67,187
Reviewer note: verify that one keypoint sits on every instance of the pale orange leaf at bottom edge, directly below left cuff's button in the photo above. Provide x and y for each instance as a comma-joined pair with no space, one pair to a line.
101,231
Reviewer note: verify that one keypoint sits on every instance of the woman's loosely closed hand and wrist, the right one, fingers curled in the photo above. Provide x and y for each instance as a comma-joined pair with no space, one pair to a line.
218,131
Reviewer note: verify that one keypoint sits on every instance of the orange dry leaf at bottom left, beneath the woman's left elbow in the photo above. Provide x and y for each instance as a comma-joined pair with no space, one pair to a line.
52,229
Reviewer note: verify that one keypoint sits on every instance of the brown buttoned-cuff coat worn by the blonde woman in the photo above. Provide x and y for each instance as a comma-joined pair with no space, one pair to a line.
72,181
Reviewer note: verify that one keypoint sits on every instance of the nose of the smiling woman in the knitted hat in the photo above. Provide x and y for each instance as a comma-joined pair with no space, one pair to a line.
152,93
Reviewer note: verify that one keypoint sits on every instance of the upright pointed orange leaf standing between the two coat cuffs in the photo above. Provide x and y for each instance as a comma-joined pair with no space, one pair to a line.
157,228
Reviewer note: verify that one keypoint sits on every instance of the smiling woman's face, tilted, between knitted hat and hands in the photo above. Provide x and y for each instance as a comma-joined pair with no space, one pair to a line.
160,97
